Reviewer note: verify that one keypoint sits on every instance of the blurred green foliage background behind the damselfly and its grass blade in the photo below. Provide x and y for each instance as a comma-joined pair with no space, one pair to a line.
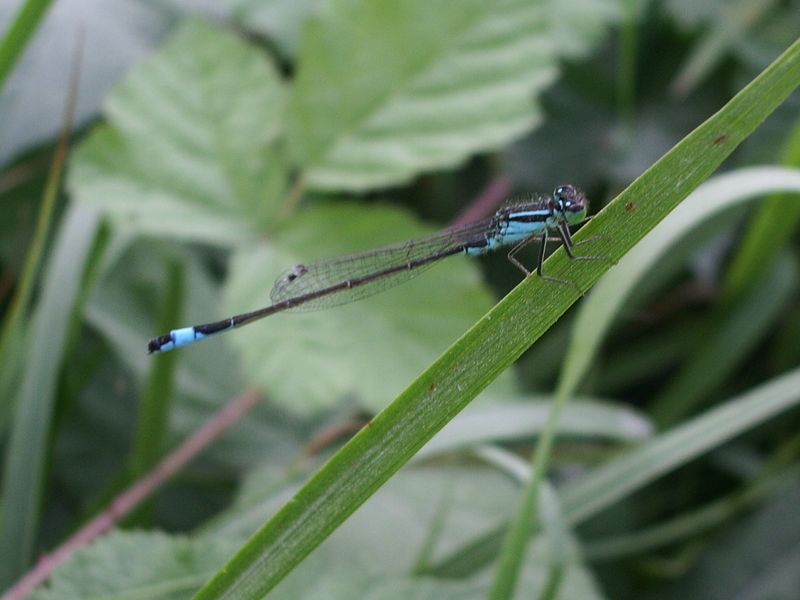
217,144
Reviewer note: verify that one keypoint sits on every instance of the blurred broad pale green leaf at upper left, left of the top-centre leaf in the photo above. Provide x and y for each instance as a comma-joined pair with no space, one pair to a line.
189,148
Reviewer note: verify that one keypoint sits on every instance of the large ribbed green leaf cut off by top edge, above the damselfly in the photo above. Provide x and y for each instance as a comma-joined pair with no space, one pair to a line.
385,91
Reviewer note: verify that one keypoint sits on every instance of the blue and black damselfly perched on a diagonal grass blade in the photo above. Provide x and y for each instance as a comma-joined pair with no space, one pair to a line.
345,279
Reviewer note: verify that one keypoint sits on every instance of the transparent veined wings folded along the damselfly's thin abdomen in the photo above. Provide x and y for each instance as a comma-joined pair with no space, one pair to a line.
372,271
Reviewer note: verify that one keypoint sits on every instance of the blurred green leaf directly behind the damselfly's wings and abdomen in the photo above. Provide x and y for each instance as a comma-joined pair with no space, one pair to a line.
367,350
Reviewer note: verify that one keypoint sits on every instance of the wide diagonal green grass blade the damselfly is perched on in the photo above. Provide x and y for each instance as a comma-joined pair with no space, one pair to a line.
491,346
